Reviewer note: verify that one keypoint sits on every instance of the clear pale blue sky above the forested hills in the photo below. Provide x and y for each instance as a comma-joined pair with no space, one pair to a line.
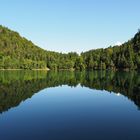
72,25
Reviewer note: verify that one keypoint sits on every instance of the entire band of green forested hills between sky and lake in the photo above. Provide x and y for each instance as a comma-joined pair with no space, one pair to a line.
17,52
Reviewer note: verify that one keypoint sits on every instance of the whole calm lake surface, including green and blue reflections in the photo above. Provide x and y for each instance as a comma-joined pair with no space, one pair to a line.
69,105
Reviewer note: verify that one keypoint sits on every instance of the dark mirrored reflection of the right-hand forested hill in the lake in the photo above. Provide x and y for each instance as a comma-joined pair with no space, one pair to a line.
126,83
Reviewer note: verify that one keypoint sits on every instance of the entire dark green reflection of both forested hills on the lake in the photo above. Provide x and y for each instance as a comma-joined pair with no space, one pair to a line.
17,86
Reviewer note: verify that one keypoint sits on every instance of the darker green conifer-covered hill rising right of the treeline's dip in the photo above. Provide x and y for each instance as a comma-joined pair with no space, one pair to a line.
126,56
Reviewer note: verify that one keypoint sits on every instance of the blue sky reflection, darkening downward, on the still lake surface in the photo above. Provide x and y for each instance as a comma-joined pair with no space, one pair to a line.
72,113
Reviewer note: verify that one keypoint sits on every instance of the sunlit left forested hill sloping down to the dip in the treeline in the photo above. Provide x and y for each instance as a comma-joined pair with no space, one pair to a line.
16,52
